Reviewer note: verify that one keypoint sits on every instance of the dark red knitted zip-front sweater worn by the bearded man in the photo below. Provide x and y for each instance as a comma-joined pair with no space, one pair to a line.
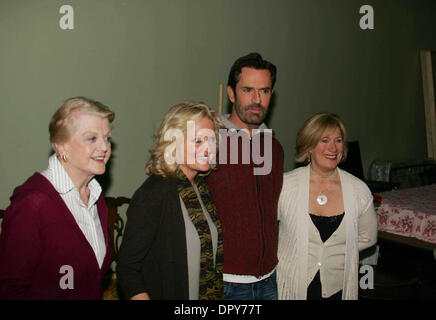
247,206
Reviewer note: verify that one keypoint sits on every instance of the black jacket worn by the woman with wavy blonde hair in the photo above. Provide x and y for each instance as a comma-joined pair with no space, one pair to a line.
153,254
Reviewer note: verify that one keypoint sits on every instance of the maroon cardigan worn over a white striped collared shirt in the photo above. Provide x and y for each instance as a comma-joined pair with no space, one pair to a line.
40,235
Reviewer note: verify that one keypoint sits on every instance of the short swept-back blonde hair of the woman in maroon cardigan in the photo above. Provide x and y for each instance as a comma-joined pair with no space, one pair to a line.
60,126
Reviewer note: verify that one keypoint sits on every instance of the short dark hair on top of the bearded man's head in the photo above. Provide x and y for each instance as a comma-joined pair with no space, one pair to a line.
251,60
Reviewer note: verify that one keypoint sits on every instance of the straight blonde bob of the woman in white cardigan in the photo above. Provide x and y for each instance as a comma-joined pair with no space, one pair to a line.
311,133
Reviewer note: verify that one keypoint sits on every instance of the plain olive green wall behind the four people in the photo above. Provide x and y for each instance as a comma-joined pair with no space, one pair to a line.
140,57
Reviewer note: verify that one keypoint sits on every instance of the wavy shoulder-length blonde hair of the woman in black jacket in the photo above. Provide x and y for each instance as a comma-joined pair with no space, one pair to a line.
177,118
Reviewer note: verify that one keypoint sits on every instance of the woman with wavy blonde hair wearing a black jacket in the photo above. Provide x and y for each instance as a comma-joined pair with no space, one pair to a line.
172,246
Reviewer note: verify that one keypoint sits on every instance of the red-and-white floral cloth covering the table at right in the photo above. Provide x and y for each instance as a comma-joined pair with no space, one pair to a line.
408,212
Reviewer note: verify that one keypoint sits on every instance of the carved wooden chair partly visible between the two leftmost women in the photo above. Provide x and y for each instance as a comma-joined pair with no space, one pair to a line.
115,223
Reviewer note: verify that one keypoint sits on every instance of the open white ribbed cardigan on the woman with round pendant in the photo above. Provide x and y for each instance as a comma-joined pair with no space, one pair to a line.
293,213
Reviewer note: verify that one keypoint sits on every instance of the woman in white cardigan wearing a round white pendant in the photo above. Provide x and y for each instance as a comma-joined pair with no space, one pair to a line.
326,217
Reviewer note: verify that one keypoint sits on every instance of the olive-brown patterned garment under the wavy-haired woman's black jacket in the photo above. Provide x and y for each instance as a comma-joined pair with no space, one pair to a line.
211,277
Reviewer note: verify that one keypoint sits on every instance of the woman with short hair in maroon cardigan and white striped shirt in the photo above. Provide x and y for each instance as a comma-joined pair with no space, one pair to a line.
54,240
